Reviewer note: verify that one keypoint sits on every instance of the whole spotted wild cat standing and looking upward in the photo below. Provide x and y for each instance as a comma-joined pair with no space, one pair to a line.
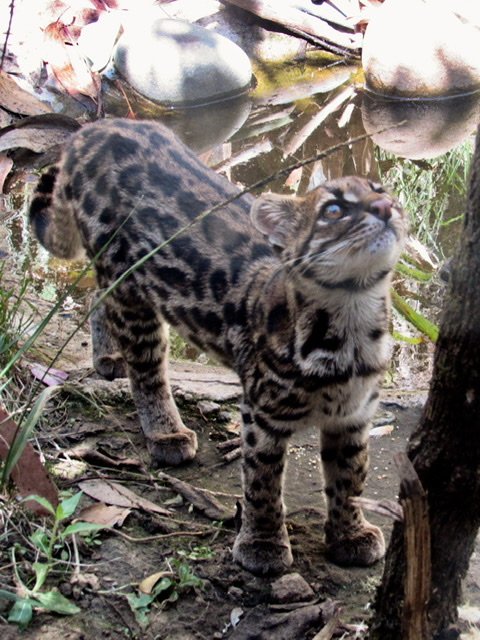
291,293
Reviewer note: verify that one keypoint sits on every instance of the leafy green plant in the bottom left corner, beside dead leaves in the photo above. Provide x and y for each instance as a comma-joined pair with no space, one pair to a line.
47,542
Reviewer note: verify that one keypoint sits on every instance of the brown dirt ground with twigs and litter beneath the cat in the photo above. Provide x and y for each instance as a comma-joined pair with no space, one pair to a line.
231,603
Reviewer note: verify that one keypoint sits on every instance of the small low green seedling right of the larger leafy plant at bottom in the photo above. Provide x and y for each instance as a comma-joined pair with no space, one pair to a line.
170,585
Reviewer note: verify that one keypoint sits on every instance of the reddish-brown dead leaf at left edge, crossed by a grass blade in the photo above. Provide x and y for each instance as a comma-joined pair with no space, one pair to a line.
29,474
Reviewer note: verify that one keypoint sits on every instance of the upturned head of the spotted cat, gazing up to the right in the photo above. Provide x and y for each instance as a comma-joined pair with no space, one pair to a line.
349,228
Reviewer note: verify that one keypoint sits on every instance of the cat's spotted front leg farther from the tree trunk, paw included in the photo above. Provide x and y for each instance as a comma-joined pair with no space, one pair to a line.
262,545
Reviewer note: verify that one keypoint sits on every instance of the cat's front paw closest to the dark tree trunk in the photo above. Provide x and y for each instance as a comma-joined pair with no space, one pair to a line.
361,548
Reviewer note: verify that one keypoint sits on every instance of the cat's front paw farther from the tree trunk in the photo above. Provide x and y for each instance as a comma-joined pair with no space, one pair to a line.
263,556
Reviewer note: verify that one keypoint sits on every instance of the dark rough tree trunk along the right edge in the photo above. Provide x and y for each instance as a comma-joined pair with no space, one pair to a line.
445,449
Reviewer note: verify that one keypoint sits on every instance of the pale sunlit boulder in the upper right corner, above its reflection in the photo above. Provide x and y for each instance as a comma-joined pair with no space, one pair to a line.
421,48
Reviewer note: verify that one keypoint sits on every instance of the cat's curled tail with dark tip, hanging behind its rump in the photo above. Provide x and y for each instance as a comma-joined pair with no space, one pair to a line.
54,225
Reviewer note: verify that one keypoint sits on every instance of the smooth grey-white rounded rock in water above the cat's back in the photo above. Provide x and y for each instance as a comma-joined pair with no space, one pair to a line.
178,63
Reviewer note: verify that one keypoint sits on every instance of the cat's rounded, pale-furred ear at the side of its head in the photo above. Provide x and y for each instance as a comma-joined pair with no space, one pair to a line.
275,216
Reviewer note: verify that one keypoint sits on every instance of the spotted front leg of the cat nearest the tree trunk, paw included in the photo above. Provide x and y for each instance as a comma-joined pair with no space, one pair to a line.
351,539
